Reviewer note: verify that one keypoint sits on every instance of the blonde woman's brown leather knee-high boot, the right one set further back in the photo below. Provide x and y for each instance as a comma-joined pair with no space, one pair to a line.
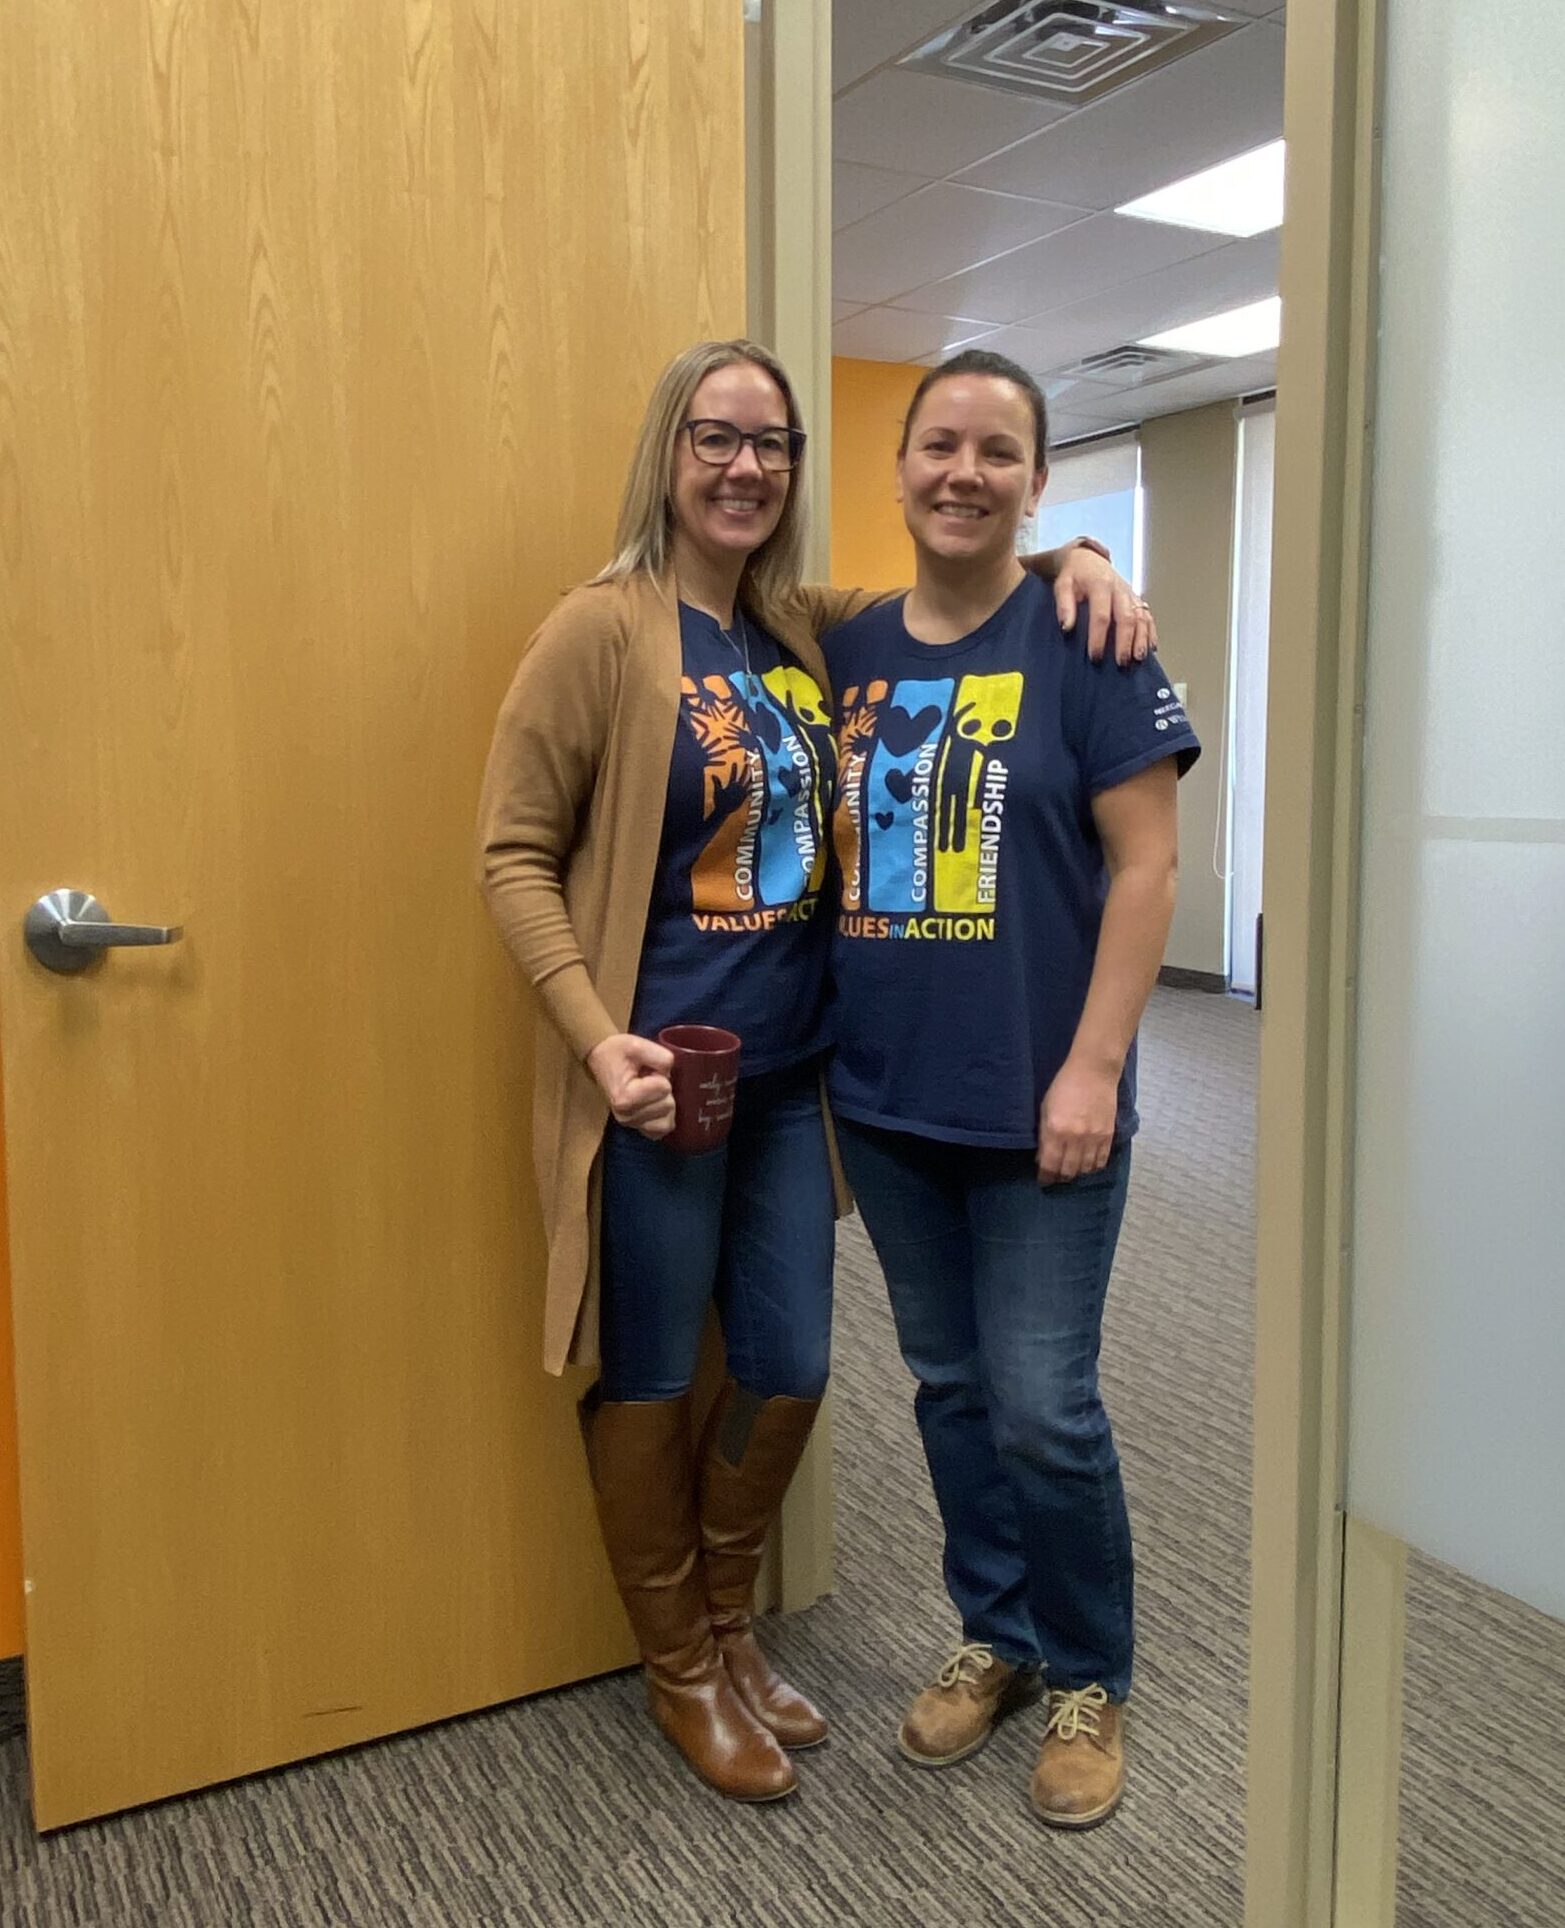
749,1457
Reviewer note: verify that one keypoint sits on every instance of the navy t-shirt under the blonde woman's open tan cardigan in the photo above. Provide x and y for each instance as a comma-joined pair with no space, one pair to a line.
737,932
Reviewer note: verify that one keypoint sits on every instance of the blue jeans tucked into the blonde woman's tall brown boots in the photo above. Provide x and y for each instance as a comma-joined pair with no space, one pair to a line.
747,1225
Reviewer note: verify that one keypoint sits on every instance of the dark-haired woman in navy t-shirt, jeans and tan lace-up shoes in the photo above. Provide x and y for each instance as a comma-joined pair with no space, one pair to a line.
1007,838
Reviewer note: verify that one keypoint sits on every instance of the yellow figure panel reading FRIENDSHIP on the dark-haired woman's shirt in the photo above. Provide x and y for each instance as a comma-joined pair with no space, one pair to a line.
970,790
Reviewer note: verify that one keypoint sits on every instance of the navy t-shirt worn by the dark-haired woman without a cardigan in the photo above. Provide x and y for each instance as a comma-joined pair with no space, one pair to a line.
972,870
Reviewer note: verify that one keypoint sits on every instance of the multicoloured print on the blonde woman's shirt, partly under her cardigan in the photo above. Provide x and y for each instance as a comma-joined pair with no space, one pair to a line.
766,857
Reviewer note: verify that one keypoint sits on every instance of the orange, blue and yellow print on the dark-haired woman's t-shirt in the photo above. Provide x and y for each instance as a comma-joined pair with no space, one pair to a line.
922,803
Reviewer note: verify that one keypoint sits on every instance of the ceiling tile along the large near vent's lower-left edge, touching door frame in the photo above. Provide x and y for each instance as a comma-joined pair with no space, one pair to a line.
924,124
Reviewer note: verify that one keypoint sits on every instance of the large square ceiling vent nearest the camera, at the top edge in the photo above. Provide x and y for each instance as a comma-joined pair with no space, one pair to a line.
1071,51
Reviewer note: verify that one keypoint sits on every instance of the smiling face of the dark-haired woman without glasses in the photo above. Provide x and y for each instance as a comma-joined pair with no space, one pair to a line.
968,475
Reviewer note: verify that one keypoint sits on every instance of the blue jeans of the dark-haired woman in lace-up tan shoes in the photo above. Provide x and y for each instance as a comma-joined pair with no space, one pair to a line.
997,1285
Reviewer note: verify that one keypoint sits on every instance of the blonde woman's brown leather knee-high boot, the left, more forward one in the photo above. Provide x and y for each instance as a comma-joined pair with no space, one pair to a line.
645,1478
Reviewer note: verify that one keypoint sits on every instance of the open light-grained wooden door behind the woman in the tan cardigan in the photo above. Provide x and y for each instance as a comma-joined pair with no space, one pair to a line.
325,331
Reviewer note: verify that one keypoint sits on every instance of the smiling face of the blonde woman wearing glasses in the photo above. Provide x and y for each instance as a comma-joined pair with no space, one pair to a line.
728,514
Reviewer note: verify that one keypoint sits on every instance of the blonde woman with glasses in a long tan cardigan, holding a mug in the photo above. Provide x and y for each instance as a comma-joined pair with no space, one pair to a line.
656,832
